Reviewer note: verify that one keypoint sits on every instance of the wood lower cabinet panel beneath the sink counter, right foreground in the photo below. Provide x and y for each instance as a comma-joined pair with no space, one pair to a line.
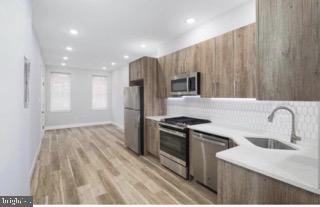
237,185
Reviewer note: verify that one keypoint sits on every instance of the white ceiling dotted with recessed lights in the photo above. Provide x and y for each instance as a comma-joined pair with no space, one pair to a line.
110,29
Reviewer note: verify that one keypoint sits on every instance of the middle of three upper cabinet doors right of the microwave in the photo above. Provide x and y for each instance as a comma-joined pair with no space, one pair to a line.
223,76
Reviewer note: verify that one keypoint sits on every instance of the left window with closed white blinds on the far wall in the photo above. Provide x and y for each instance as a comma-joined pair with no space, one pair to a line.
60,92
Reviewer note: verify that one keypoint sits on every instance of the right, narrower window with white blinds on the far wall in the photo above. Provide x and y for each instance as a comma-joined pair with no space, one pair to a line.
99,92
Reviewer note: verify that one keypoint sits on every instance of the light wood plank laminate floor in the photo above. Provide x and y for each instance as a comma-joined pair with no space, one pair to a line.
91,165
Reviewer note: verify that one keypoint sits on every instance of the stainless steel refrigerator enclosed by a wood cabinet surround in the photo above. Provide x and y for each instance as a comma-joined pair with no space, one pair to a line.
133,118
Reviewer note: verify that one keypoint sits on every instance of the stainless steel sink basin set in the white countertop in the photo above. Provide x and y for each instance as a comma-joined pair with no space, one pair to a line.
269,143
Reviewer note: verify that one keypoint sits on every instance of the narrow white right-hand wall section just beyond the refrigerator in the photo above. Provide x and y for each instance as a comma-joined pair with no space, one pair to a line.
120,79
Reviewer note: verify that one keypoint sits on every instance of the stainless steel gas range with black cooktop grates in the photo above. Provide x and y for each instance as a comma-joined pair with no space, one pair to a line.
174,143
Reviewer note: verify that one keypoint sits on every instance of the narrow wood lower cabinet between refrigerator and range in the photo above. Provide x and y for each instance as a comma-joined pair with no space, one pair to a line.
152,136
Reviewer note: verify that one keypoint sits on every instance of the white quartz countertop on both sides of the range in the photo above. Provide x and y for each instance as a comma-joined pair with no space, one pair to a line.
290,166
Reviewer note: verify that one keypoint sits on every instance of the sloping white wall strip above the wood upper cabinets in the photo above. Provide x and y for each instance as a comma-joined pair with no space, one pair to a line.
231,20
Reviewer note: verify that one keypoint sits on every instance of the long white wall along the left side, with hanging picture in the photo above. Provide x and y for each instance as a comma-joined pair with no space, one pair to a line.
19,128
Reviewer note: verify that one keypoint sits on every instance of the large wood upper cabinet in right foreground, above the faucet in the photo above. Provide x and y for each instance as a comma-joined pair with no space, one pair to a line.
288,50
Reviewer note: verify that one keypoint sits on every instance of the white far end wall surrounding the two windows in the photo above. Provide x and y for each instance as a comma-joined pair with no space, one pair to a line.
81,93
